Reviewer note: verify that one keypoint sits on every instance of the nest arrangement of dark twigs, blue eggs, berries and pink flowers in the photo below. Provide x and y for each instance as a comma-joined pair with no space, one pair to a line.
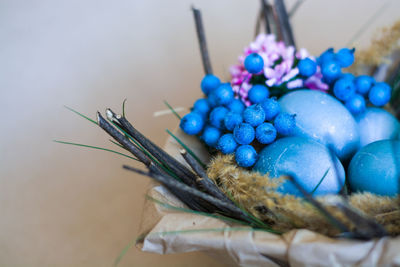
293,141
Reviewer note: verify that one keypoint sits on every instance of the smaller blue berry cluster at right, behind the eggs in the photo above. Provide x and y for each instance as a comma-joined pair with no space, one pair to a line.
354,92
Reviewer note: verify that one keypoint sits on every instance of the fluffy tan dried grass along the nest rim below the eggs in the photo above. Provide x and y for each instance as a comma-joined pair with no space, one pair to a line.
257,194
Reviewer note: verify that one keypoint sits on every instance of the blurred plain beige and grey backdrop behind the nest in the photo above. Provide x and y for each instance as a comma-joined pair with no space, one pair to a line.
66,206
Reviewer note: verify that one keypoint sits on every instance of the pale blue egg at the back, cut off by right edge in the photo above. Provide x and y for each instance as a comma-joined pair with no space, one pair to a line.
377,124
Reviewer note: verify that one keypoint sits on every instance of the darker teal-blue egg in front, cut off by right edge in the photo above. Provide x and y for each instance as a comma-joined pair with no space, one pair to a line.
376,168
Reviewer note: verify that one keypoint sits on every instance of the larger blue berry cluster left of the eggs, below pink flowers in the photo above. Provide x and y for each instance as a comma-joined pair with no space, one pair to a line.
224,123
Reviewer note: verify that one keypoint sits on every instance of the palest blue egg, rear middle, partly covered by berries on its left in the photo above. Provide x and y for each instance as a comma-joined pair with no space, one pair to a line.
323,118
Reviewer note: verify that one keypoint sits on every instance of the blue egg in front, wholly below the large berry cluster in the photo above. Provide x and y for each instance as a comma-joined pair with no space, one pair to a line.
307,161
